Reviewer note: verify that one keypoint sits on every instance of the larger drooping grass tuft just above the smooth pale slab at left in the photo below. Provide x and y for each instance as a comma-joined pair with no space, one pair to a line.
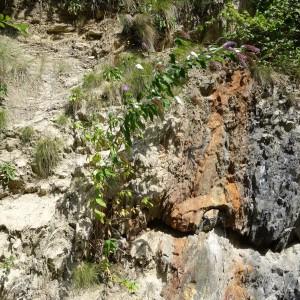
46,156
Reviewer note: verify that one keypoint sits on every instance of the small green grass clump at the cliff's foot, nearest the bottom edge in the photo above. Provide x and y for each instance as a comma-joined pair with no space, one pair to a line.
86,275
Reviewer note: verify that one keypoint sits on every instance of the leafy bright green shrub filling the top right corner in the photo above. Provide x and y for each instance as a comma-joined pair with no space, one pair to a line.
274,28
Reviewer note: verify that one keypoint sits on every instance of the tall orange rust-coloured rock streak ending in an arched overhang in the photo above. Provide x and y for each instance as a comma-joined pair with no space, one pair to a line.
212,188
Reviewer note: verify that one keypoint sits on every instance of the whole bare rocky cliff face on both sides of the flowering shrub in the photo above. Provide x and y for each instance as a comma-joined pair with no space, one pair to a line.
222,168
